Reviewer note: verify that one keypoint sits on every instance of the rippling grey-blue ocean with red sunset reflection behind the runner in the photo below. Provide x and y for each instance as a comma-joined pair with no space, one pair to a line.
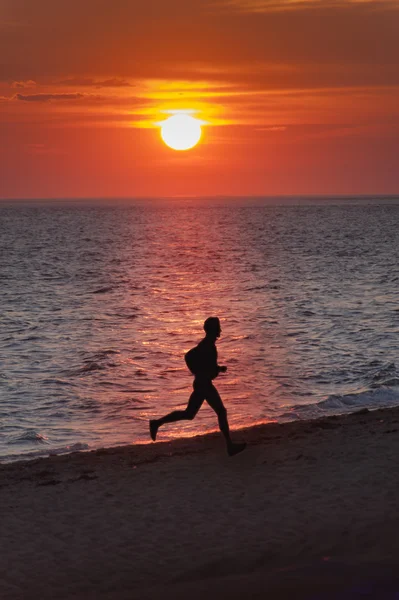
100,301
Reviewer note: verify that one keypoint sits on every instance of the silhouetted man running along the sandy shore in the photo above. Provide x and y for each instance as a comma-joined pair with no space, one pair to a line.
202,362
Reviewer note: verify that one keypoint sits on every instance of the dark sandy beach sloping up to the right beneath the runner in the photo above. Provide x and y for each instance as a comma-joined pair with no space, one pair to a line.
309,510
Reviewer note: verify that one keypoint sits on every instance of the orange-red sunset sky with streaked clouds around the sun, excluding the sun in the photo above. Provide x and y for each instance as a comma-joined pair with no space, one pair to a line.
300,97
